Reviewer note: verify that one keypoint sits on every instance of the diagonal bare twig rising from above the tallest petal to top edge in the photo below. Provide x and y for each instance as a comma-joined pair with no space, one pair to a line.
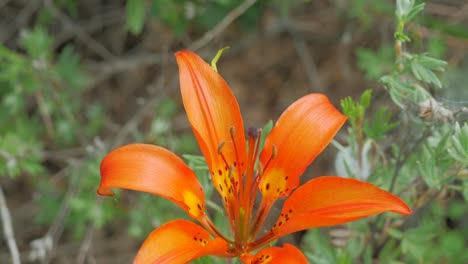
228,19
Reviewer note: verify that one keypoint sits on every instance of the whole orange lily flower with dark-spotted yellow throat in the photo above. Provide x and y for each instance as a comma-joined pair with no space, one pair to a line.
239,171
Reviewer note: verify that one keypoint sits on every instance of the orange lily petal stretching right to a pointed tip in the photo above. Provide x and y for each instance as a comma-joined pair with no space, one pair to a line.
331,200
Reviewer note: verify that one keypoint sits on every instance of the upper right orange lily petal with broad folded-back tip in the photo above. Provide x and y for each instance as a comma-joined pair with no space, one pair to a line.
301,133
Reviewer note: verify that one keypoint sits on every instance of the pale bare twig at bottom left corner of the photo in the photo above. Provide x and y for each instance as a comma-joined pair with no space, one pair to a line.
8,229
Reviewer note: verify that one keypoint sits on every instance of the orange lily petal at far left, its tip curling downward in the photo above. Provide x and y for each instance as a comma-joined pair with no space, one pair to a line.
155,170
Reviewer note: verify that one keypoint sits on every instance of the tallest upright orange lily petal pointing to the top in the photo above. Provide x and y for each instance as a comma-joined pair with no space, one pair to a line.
215,118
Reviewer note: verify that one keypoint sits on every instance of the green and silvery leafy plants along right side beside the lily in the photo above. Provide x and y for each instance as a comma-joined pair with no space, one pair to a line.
423,147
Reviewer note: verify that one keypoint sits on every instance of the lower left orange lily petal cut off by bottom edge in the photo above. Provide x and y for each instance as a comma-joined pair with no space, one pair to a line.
179,241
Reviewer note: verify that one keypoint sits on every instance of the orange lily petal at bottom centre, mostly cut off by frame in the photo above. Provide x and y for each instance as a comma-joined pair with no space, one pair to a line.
271,255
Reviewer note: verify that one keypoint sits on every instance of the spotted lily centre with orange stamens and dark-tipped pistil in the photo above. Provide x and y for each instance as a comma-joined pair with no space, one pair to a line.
238,183
